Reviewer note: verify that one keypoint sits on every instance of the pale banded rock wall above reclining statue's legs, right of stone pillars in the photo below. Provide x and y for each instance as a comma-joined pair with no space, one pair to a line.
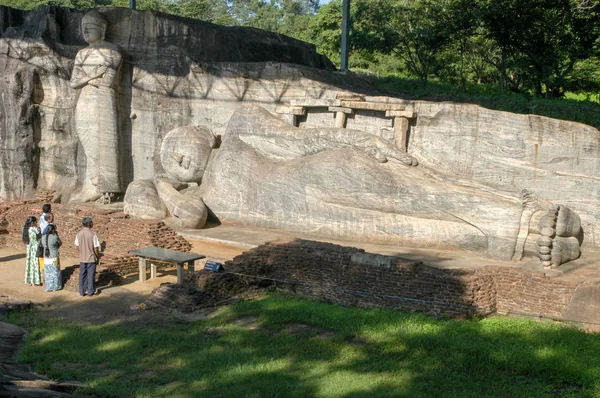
556,160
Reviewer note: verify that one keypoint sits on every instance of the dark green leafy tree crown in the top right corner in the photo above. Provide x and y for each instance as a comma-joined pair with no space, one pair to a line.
540,39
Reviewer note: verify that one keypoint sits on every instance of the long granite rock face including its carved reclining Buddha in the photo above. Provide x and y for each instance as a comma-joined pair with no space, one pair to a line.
325,153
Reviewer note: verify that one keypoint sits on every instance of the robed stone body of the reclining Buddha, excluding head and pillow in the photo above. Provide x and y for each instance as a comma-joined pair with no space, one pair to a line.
343,183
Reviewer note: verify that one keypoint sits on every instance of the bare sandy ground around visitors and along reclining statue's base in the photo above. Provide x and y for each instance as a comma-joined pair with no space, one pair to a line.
226,242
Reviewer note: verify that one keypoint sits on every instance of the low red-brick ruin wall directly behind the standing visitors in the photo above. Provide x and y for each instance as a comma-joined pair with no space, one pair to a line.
118,232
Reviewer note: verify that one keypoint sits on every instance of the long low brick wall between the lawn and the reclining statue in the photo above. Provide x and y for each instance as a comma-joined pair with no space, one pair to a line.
349,276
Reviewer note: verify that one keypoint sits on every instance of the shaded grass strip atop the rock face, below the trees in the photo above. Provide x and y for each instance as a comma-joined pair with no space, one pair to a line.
577,107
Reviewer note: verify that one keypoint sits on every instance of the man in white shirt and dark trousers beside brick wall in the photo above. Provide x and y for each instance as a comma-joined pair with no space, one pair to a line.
89,245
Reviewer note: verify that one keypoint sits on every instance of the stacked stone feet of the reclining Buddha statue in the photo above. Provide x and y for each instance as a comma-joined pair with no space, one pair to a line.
559,241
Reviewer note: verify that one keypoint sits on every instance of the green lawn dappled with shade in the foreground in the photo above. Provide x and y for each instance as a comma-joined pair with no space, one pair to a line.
367,353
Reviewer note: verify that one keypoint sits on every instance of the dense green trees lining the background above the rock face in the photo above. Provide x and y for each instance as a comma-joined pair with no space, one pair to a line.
536,47
